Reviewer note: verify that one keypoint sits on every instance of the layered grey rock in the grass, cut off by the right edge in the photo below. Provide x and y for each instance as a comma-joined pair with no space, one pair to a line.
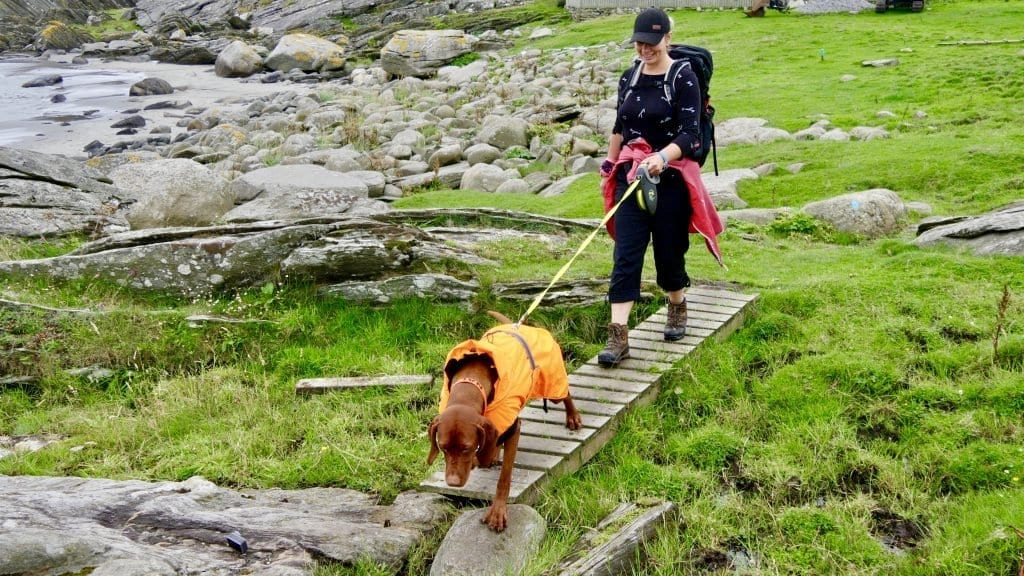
998,233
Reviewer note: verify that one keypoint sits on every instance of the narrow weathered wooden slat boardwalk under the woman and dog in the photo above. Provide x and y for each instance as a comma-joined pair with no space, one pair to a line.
604,396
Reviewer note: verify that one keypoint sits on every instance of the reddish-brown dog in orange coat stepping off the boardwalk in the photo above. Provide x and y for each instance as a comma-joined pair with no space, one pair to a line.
487,384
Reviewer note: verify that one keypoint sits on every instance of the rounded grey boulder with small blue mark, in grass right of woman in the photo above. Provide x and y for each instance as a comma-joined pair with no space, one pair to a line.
872,214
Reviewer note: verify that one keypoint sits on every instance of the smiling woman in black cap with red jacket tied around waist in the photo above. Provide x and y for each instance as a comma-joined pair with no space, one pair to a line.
662,137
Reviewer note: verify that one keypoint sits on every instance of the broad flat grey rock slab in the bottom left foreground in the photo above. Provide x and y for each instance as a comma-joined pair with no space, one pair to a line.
75,525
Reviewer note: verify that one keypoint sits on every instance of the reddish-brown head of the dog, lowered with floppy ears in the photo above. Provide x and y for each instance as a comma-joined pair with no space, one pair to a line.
466,438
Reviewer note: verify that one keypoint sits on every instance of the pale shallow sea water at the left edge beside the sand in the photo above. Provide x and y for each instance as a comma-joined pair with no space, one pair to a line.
90,93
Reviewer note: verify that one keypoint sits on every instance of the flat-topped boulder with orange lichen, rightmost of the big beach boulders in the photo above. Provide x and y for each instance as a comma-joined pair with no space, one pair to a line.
422,53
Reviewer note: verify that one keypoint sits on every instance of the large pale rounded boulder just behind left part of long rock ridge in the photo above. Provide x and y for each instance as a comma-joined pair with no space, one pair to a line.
170,193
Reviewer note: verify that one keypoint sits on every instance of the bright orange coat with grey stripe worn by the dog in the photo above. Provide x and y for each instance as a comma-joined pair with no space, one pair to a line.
530,365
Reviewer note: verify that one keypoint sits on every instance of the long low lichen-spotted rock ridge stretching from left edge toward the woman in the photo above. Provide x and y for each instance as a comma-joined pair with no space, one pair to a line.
201,262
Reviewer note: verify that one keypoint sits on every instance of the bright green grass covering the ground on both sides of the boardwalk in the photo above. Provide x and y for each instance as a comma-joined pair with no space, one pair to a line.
866,397
